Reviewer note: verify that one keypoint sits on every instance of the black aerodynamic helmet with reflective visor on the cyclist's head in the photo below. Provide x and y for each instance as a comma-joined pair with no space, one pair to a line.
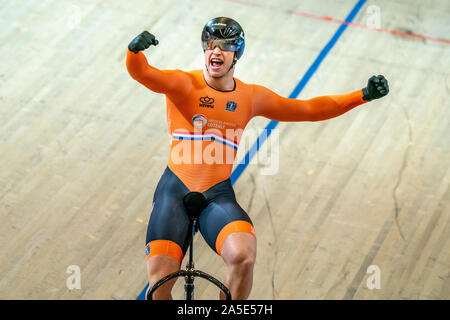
226,33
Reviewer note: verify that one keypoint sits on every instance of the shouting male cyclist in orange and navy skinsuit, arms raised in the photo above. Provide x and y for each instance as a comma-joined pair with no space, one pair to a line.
207,110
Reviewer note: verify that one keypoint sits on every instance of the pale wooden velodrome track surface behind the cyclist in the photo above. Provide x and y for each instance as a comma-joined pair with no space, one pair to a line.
82,146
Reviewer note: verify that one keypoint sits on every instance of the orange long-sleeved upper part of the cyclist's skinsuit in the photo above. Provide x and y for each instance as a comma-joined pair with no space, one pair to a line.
220,117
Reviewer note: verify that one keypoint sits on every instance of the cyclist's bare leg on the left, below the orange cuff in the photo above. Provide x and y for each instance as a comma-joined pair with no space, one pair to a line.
158,267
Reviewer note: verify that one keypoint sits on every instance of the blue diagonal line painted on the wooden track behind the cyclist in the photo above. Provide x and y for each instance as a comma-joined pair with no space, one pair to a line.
237,172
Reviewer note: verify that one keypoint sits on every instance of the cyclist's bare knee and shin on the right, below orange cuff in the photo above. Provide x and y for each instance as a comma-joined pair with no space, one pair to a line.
239,254
